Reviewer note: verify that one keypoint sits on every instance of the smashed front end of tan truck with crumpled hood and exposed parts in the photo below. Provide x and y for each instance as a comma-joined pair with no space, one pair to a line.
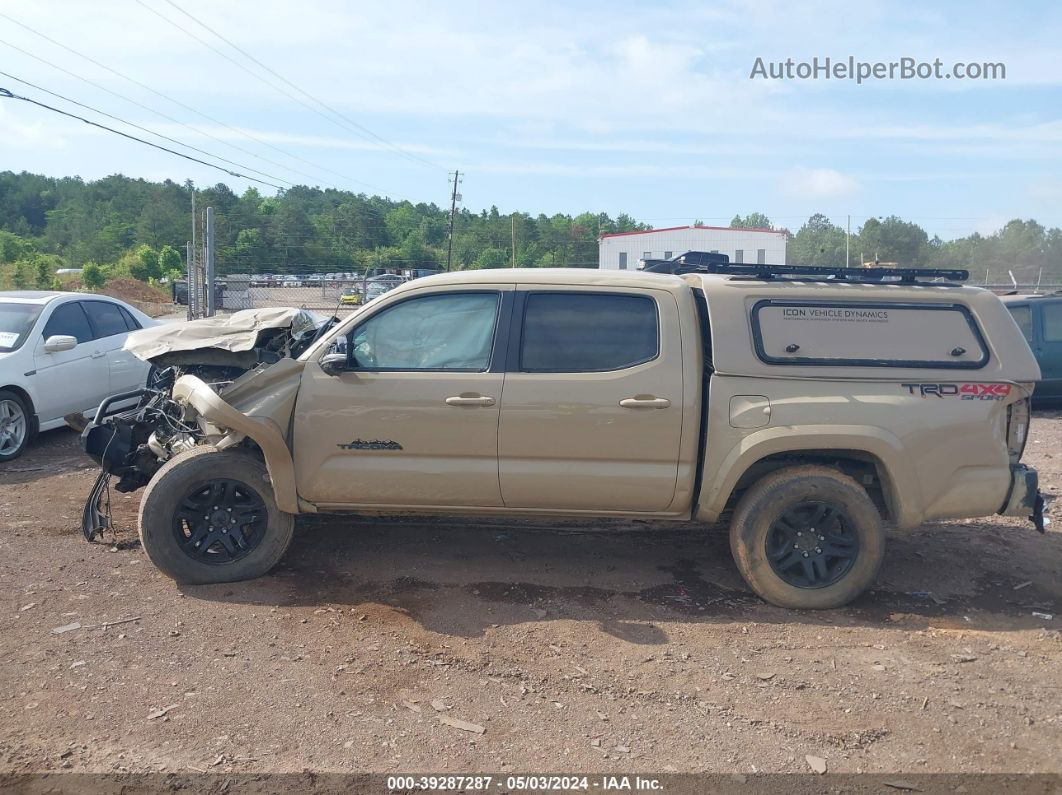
135,434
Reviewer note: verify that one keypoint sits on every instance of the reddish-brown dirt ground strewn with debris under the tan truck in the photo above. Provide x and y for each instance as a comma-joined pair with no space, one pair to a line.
635,650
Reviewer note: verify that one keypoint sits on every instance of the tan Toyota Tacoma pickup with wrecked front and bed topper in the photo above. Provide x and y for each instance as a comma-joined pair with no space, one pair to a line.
809,408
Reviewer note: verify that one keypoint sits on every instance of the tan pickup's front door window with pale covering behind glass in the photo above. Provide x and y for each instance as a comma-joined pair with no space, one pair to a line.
437,333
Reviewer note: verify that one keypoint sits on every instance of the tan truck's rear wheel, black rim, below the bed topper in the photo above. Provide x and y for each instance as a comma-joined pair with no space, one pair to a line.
808,538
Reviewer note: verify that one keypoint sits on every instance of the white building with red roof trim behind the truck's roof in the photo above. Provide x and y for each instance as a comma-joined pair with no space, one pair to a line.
624,250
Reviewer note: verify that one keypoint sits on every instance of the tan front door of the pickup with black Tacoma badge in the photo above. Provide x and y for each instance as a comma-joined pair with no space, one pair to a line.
415,421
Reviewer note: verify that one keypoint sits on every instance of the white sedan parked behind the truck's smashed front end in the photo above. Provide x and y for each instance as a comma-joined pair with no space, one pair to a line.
62,354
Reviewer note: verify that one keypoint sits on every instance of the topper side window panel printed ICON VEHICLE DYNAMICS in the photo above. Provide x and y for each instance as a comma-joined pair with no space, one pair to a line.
868,335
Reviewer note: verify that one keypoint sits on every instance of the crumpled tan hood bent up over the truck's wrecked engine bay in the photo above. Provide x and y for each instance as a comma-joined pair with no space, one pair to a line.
236,333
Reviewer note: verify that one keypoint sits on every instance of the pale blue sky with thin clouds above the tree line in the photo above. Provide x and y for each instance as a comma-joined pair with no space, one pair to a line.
645,109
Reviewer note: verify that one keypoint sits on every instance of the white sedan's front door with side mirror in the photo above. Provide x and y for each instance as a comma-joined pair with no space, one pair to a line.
74,381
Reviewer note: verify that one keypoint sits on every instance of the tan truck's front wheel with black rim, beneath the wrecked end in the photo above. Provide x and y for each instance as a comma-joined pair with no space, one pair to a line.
210,516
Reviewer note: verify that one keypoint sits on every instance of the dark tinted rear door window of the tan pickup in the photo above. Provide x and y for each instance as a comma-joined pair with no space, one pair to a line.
584,333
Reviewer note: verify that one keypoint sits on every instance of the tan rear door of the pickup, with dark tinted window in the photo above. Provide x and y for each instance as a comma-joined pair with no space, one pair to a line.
593,406
